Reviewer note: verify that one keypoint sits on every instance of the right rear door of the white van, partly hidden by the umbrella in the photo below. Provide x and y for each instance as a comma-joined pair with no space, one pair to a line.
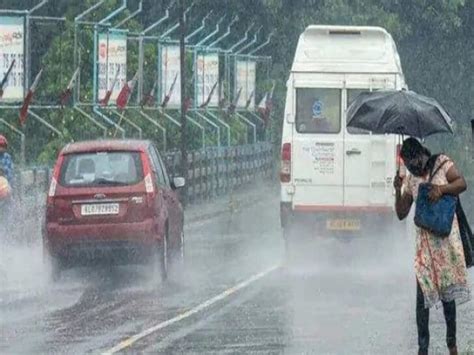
369,163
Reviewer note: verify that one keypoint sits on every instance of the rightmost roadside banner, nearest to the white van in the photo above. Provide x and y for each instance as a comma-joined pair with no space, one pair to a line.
245,75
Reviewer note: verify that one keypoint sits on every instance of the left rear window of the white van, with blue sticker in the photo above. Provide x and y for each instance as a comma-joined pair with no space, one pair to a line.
318,110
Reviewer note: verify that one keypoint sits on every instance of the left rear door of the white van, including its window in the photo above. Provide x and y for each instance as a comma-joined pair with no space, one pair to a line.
317,148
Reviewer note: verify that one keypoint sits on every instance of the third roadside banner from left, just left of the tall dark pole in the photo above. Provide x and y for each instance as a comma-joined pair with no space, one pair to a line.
170,73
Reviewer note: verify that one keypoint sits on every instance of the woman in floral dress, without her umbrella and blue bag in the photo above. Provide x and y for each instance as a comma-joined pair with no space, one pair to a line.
440,267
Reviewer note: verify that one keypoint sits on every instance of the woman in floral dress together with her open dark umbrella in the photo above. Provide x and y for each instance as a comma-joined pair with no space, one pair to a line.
440,263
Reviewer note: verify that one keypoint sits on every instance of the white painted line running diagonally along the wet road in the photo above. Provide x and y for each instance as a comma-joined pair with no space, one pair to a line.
230,291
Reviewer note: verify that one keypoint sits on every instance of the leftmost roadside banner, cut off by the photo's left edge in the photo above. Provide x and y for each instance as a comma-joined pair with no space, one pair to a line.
12,30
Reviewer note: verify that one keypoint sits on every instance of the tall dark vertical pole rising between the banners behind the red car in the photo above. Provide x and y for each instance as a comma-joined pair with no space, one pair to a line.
182,39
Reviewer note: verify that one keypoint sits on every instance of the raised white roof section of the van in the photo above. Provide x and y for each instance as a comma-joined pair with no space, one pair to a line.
346,49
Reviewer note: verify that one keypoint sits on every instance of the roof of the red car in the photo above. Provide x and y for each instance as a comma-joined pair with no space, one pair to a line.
106,145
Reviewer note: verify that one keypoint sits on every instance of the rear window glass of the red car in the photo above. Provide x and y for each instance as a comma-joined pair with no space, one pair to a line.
101,169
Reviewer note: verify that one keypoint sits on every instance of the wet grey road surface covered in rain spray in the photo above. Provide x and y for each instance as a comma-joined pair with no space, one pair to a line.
235,294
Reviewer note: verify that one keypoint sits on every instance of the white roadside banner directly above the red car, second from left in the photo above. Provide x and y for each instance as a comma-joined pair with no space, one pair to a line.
112,73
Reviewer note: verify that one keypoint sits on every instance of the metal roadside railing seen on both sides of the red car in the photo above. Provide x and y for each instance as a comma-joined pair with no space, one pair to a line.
212,172
